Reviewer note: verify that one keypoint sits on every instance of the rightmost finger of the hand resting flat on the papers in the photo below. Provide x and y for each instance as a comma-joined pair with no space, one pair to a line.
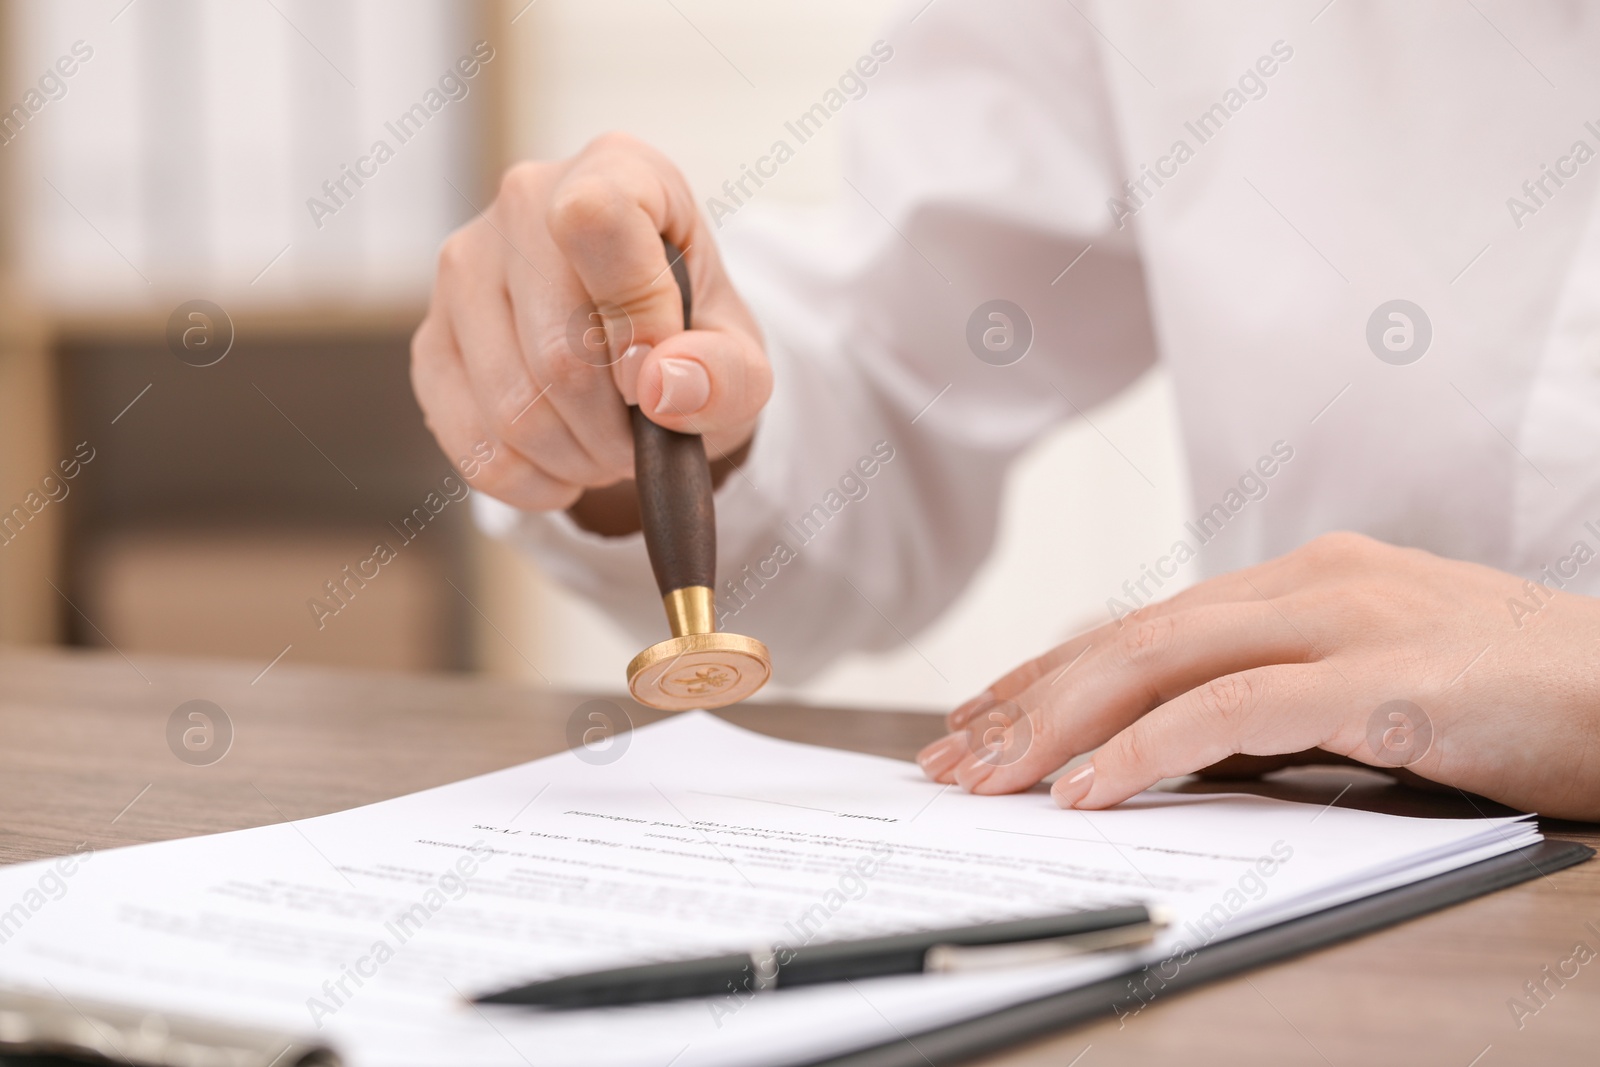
1265,711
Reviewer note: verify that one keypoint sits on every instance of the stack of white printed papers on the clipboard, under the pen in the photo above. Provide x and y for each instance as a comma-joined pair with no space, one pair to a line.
370,930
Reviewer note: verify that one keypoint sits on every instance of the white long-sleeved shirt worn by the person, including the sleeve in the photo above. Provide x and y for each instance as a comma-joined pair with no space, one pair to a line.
1234,191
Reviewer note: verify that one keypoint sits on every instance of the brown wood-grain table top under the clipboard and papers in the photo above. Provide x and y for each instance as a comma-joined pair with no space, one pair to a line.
84,759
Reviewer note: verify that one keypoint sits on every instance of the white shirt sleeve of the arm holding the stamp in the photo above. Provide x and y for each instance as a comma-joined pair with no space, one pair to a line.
966,292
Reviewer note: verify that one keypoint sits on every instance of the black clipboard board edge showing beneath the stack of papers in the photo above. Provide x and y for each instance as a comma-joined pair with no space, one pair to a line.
1020,1023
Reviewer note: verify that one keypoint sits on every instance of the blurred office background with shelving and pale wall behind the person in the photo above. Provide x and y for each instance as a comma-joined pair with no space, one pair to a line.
201,180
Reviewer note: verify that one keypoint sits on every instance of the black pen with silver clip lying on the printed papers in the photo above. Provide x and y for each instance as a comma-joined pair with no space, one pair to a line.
780,967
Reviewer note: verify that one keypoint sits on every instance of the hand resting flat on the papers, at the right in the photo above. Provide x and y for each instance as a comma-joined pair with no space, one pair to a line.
1462,674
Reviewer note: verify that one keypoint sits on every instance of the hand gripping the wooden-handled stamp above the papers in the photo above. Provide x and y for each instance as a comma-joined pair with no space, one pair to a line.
556,310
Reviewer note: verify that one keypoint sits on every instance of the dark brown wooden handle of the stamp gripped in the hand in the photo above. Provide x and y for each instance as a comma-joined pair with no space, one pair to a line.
674,487
